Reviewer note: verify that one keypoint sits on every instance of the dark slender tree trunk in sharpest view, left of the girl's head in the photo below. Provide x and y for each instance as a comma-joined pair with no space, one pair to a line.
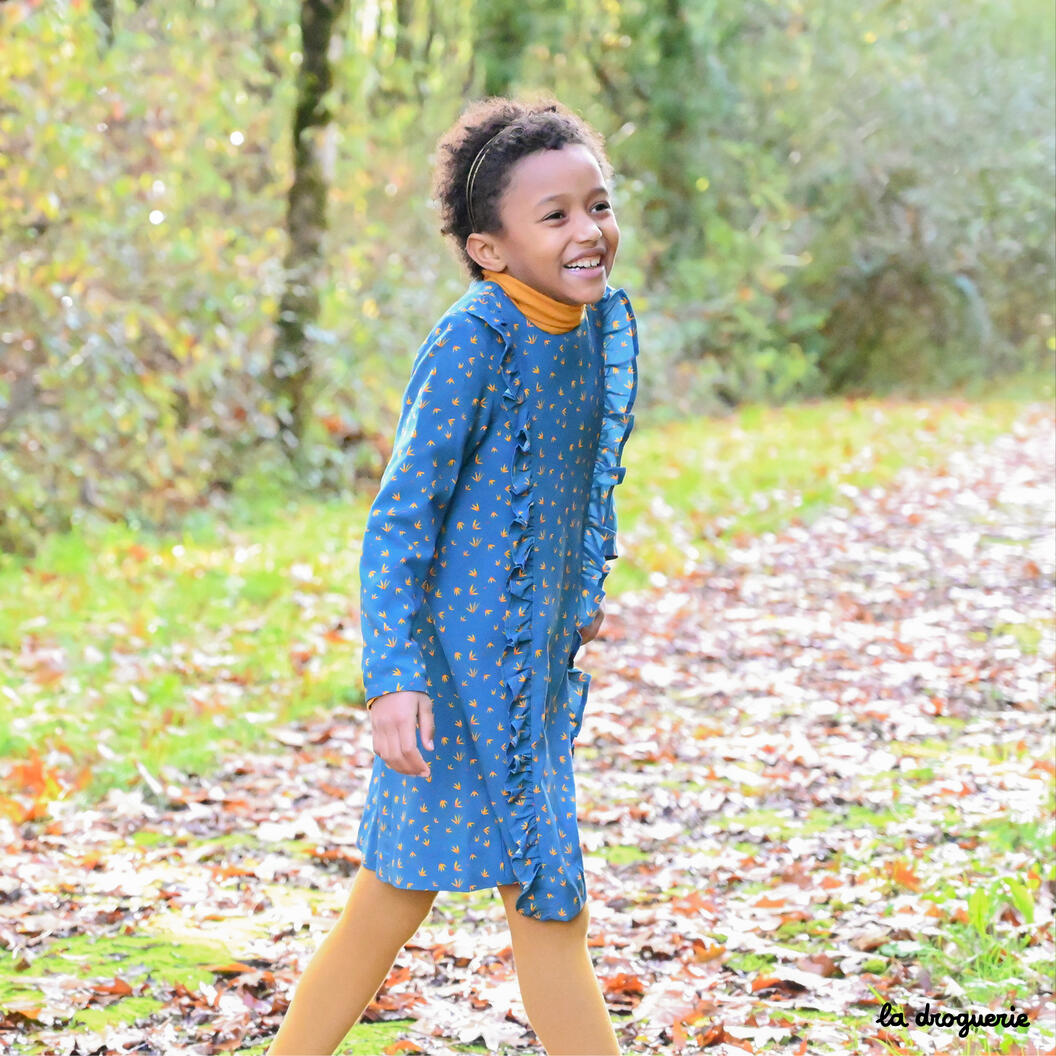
306,223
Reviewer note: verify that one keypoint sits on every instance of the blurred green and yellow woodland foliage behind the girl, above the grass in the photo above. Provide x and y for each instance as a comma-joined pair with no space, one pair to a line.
814,199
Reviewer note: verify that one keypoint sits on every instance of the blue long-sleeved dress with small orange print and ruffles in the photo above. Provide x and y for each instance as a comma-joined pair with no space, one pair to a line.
485,552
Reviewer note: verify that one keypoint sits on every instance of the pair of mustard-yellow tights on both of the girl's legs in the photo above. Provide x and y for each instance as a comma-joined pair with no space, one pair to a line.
558,984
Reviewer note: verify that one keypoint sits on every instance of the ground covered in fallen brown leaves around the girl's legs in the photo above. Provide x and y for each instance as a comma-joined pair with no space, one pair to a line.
813,781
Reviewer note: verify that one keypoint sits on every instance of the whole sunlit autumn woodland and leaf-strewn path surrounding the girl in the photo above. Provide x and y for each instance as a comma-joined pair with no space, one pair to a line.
826,669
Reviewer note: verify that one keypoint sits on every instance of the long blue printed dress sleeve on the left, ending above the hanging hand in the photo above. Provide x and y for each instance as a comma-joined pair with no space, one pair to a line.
443,419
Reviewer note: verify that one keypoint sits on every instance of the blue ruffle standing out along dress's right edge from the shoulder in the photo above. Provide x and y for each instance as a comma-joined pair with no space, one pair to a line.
620,353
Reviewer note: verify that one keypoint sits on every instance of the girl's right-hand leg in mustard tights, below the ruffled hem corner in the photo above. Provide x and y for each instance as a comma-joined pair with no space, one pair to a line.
558,983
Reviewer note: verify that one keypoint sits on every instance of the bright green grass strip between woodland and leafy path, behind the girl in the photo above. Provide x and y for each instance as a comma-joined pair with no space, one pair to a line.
121,648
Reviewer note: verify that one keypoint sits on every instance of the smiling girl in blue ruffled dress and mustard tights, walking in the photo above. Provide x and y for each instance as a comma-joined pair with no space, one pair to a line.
482,575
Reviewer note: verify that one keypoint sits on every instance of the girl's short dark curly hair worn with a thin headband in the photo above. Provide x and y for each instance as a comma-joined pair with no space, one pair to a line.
527,127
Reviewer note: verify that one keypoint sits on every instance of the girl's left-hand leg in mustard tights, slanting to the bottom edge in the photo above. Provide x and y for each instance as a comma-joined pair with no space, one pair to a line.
351,965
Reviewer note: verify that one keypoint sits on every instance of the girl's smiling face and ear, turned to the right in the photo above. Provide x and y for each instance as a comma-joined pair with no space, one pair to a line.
559,231
